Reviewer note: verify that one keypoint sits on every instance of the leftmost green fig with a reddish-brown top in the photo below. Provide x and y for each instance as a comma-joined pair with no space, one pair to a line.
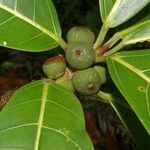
54,67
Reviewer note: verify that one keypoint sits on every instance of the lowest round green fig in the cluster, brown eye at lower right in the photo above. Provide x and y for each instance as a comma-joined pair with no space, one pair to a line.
86,82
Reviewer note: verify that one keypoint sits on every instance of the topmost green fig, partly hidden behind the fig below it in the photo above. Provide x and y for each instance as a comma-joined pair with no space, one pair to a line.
80,34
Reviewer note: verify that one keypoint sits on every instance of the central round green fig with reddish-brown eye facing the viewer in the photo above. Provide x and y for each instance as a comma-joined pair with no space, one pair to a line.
80,55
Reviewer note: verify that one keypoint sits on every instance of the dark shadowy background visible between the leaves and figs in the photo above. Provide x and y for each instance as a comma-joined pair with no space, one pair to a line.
18,68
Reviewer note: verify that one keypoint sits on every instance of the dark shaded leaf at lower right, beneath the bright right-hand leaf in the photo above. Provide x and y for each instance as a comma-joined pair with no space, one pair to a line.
131,121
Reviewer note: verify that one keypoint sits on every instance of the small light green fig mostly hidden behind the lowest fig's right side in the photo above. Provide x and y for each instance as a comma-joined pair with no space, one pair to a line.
102,73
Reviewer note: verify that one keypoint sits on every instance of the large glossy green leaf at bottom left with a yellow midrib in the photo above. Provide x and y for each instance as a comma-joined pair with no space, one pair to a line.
43,116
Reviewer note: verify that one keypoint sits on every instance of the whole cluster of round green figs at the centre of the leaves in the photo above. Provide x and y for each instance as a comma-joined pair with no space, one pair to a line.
85,77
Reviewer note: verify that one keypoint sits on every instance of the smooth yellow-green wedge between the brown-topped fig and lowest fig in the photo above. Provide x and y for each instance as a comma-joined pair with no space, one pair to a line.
65,82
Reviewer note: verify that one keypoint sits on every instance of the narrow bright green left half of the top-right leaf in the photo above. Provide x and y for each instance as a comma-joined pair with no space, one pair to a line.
105,8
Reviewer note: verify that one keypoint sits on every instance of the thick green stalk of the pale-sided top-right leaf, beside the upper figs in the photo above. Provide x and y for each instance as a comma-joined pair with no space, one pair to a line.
101,36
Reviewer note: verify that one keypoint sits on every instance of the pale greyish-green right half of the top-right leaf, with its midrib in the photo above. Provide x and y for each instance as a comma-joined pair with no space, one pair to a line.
123,10
